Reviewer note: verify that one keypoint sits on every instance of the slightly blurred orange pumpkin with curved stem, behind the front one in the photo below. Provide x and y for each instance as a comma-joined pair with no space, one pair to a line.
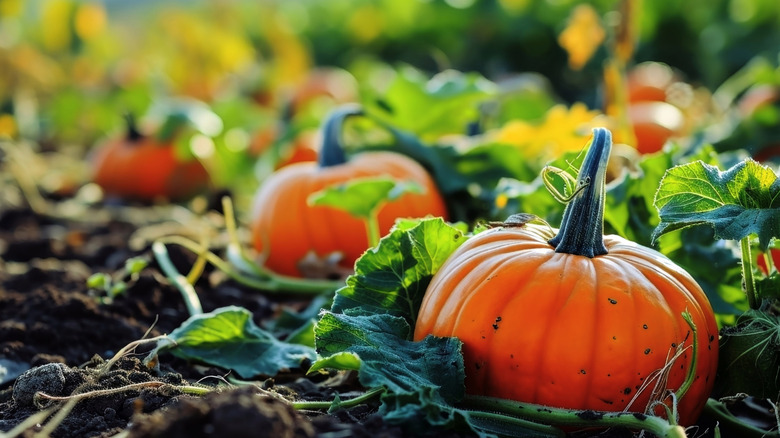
285,228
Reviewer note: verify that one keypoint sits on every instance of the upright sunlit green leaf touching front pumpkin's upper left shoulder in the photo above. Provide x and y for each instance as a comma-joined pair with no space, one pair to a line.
392,277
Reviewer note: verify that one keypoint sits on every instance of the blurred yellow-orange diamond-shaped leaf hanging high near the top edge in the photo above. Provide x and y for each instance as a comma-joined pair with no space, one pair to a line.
582,36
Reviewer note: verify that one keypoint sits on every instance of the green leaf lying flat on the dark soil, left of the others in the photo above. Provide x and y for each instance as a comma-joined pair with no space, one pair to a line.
228,338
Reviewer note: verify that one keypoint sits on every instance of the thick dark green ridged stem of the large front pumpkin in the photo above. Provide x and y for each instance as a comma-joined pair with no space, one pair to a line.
582,227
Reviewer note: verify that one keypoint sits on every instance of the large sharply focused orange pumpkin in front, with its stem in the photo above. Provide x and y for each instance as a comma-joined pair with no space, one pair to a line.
571,318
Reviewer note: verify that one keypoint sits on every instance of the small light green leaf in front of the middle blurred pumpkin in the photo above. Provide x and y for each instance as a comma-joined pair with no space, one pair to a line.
362,197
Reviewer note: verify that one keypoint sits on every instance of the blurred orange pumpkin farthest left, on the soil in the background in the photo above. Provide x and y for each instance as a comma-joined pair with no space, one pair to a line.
142,167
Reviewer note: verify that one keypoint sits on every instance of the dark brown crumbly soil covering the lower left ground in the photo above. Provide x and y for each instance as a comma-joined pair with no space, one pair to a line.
58,334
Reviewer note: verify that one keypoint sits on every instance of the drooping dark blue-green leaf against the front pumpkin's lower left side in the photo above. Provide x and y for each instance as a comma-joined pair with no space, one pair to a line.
424,380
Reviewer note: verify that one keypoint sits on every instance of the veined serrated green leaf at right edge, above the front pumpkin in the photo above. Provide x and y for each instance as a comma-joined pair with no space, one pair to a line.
738,202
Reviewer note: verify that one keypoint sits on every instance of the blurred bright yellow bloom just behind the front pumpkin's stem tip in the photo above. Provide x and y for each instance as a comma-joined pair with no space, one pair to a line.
562,130
